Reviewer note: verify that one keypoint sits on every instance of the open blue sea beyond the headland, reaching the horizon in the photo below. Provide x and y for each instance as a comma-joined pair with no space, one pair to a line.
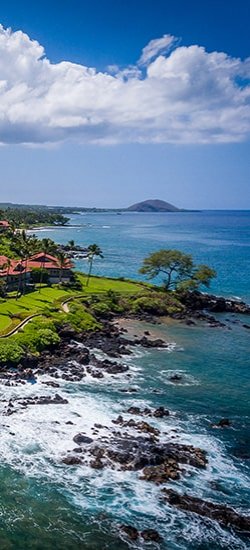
218,238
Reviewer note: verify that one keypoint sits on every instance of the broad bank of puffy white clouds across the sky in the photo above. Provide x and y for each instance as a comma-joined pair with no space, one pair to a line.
186,95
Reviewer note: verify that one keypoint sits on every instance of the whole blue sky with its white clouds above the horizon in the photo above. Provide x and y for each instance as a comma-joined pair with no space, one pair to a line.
163,113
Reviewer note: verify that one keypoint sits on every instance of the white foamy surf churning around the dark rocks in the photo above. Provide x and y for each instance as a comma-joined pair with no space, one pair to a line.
35,439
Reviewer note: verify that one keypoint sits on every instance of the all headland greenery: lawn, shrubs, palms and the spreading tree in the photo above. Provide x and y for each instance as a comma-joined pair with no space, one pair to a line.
84,303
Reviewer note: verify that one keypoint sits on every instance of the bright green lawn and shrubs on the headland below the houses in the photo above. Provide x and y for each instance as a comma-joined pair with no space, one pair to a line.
86,311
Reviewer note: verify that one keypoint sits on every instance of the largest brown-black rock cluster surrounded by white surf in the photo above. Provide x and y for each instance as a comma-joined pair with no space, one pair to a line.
157,461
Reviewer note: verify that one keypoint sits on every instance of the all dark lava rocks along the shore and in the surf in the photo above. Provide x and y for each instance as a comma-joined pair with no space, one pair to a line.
133,442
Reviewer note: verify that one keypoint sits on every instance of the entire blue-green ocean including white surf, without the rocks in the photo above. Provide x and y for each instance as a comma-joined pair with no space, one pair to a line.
47,505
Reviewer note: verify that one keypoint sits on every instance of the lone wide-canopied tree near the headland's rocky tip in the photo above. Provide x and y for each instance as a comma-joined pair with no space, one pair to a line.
178,270
